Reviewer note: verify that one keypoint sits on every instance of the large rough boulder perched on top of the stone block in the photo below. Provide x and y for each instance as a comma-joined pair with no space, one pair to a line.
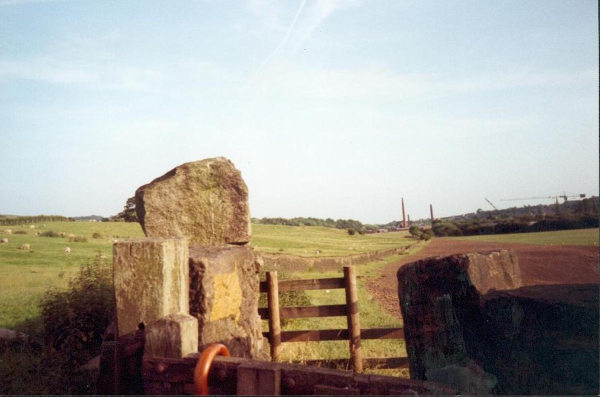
206,201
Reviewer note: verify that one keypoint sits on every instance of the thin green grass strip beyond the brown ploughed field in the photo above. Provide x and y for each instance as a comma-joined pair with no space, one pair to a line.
563,237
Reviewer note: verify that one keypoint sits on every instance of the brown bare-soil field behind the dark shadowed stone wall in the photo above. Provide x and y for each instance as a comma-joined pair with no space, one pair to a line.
567,264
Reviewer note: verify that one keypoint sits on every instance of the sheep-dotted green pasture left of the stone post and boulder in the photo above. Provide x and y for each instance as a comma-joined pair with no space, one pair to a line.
26,275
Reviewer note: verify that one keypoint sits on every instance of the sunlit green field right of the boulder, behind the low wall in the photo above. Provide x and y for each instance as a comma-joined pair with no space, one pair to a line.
305,240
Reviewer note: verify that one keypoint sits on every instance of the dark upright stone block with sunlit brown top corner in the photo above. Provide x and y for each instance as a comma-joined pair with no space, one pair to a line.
440,303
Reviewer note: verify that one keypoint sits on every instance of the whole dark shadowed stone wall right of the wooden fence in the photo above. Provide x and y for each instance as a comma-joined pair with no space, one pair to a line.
470,324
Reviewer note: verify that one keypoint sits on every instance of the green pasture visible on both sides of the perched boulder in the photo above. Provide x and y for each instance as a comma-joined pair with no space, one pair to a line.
26,275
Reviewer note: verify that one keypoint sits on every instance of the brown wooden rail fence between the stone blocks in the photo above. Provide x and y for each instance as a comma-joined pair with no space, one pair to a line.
354,334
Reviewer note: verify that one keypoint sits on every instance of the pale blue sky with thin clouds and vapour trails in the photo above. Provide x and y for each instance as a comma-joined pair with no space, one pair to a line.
330,109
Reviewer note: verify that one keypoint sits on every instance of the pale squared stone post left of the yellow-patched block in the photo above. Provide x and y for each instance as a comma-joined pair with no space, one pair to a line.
151,280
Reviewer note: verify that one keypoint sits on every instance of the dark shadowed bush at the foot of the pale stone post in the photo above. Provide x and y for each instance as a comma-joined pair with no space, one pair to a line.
73,321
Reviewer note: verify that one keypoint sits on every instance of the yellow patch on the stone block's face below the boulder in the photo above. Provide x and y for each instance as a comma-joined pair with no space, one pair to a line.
228,296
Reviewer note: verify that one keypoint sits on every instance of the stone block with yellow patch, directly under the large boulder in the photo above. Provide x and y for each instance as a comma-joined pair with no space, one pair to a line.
224,297
